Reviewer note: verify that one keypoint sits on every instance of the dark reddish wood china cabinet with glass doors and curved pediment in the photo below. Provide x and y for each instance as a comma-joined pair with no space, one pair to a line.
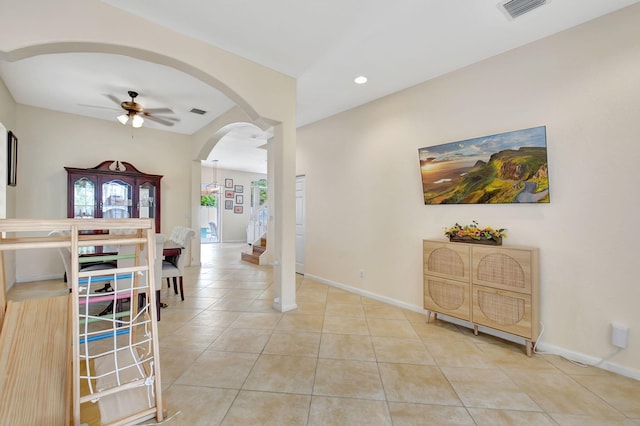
113,190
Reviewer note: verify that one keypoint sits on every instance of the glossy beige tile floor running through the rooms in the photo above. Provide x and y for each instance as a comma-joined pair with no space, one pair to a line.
227,358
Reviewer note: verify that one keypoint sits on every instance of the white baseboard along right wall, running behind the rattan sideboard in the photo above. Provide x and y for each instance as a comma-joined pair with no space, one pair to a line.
541,346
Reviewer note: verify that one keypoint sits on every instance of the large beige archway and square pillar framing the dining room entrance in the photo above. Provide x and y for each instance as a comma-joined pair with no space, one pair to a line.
265,96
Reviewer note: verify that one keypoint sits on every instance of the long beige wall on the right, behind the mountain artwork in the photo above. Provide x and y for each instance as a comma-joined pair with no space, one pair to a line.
364,201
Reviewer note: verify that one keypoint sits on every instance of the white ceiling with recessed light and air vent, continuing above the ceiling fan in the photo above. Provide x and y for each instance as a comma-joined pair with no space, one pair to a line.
323,44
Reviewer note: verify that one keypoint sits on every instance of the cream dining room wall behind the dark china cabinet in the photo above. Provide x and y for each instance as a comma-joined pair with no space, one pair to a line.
49,141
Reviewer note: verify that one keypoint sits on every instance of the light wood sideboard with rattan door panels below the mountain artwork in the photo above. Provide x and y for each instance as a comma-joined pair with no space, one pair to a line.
491,286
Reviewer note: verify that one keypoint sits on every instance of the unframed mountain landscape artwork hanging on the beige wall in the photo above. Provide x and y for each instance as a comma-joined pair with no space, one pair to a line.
503,168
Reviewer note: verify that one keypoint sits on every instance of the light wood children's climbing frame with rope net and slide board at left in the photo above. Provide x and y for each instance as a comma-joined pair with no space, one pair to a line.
44,343
